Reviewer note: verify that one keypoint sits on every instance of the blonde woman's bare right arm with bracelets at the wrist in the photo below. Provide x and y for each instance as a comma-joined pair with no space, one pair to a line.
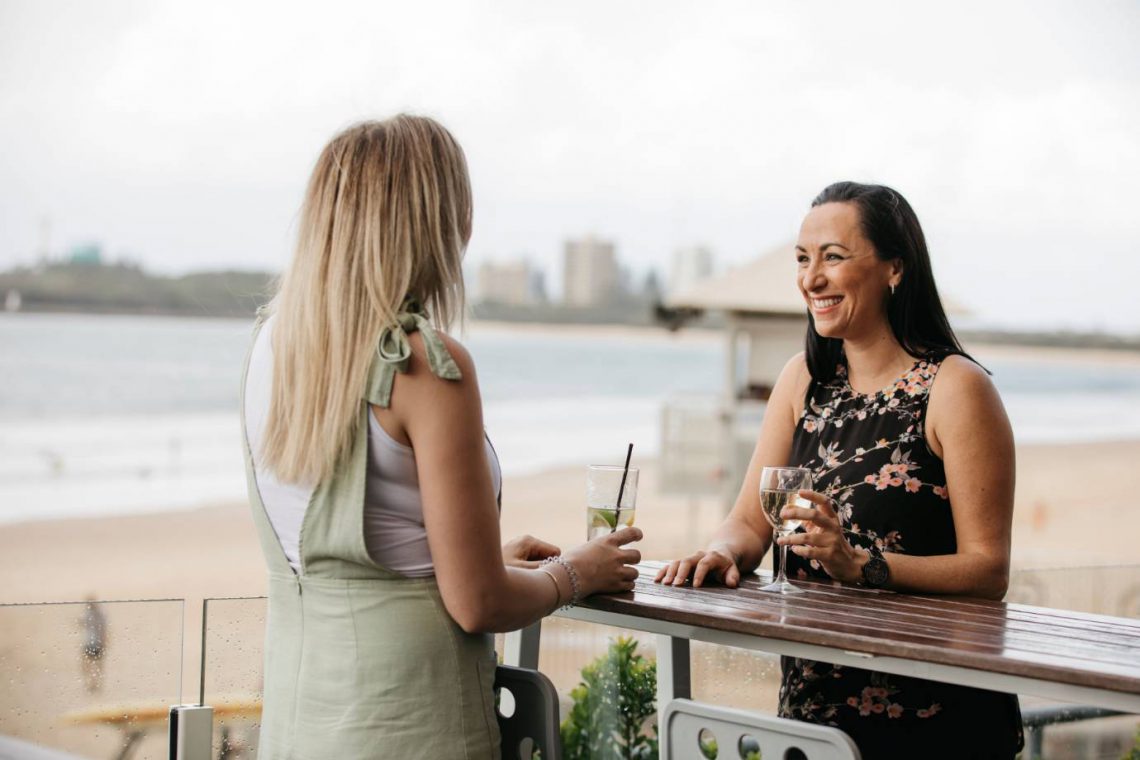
443,421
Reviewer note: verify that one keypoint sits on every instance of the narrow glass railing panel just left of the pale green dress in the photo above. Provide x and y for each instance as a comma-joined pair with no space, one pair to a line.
232,682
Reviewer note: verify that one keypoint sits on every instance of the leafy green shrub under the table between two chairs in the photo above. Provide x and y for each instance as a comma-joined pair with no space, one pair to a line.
614,702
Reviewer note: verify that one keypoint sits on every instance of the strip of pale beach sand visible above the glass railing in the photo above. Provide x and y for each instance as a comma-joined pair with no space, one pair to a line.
214,551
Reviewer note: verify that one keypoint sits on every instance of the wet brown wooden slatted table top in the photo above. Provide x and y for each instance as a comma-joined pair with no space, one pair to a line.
1056,645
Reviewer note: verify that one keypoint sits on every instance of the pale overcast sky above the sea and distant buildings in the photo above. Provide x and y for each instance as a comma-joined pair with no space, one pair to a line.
182,134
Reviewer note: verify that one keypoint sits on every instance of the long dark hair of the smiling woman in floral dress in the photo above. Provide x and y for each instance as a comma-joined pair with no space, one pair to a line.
915,310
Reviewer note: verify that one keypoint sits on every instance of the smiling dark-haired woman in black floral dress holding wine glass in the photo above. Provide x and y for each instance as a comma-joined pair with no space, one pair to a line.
913,460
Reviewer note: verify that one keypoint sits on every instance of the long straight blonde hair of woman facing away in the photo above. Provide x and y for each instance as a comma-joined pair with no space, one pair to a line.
387,217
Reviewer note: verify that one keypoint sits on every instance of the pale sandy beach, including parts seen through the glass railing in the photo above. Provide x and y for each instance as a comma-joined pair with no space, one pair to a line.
213,552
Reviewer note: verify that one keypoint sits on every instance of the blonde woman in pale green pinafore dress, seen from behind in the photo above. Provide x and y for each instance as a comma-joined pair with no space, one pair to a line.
372,483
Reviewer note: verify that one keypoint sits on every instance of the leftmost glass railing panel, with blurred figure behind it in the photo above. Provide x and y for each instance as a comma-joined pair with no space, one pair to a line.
89,680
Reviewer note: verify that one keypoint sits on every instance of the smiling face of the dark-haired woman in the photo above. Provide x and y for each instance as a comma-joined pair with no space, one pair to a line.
844,283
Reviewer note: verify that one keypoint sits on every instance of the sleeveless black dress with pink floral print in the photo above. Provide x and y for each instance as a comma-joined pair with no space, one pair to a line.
869,454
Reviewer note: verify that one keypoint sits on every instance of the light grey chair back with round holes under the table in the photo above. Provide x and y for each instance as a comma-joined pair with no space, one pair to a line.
690,726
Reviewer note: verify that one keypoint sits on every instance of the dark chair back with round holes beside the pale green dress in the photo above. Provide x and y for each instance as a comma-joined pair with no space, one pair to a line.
533,714
